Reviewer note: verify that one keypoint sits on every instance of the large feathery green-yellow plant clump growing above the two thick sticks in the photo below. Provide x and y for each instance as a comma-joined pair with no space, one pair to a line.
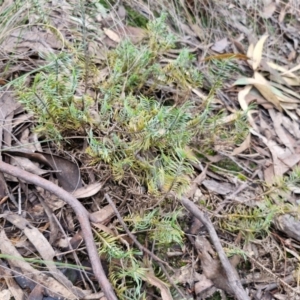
146,137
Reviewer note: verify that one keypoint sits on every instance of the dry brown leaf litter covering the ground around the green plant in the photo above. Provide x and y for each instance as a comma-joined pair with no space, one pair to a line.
266,87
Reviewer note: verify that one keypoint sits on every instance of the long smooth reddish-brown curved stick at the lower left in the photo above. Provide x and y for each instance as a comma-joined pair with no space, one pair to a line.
82,215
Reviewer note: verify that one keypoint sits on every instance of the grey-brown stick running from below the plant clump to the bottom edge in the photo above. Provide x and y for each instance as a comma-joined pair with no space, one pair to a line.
233,280
